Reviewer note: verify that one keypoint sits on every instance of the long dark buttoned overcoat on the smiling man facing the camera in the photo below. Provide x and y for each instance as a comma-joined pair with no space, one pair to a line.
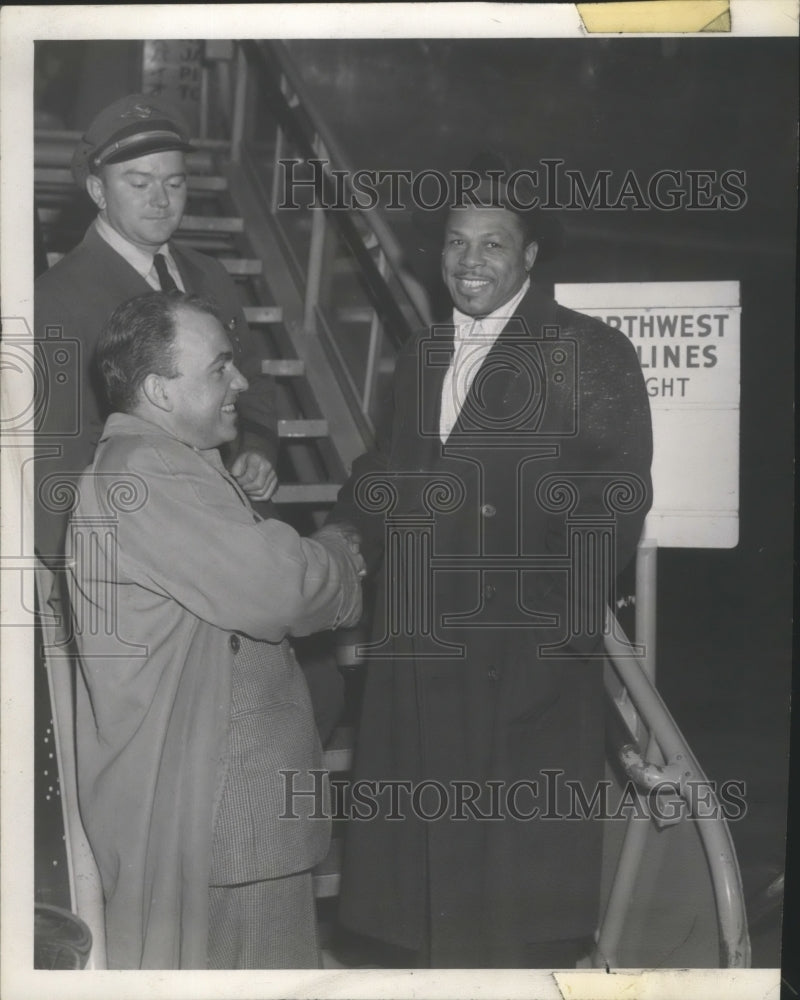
487,550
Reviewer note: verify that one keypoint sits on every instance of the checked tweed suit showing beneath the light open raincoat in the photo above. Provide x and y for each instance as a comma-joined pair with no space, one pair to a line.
261,905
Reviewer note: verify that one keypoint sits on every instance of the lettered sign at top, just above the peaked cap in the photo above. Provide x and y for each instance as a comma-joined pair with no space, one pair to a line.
173,70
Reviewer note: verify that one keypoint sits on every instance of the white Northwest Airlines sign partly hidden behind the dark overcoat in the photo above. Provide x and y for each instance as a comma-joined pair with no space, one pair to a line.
686,335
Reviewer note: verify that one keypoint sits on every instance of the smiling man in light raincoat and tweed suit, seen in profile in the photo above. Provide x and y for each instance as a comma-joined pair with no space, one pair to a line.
190,703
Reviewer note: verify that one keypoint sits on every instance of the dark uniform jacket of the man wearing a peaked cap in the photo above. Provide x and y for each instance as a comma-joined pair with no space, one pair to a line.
72,303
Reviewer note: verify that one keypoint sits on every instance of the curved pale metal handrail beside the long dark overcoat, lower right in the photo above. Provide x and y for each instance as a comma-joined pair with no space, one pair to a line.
713,830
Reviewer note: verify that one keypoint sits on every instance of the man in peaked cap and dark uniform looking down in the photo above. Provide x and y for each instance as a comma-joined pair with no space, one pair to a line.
131,162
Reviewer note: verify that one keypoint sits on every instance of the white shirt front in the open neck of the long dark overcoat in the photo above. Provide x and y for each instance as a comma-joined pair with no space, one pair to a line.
474,338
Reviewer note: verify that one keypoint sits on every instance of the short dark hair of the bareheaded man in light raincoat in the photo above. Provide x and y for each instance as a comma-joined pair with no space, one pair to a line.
139,340
